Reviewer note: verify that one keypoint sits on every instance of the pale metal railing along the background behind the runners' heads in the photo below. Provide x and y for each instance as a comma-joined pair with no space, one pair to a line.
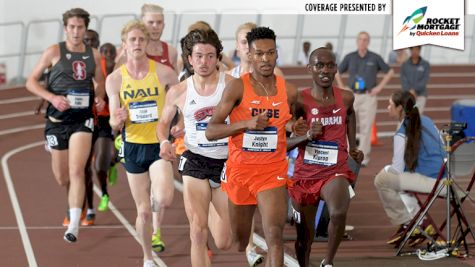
218,18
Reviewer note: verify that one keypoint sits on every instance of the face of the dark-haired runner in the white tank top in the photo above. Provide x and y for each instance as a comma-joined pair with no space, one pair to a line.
203,59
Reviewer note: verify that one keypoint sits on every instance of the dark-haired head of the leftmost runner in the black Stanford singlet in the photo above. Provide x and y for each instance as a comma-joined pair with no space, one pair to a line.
75,23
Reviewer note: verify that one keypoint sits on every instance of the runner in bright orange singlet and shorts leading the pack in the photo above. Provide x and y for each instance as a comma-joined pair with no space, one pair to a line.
256,170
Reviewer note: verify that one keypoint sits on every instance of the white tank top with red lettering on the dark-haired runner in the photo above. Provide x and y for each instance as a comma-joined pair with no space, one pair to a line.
197,111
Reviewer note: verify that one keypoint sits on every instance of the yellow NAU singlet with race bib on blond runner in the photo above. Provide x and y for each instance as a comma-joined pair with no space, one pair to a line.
144,100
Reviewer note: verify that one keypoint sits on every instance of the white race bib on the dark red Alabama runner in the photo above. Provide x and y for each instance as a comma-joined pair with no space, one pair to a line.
321,153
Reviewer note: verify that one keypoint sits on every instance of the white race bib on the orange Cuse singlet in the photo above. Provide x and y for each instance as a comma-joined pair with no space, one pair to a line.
260,141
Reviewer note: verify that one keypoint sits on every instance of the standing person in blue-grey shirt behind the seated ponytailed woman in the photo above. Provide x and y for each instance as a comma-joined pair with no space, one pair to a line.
414,76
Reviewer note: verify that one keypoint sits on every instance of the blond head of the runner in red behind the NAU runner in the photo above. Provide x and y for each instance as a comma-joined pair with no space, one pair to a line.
152,17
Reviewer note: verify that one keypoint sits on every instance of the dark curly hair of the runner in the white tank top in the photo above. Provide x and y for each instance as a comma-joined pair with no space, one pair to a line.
201,37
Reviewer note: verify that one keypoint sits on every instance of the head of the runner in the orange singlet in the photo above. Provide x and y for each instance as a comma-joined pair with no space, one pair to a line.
262,50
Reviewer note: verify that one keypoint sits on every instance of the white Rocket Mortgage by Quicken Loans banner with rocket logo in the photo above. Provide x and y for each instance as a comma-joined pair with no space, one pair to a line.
425,25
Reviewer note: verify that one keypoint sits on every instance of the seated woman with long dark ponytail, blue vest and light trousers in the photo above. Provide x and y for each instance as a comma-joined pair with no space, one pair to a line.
417,157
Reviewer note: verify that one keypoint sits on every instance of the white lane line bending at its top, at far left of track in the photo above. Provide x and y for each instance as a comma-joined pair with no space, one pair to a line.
30,255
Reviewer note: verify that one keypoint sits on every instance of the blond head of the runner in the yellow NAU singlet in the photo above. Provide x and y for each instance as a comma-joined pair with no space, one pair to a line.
135,38
